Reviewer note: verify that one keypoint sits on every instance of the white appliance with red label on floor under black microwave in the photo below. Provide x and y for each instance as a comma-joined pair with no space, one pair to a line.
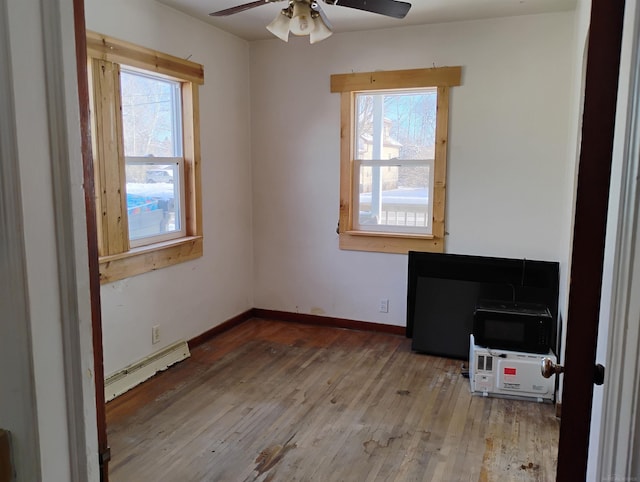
511,374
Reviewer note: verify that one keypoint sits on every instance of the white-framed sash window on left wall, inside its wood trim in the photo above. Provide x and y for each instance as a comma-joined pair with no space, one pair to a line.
152,135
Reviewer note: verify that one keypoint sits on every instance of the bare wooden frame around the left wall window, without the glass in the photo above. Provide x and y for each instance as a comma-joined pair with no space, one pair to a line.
117,260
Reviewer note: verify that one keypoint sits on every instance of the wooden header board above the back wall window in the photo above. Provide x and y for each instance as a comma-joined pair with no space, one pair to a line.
397,79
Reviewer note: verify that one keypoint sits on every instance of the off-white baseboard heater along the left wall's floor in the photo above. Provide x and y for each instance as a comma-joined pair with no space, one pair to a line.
136,373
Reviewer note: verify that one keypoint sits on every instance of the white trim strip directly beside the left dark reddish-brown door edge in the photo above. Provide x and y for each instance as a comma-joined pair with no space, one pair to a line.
61,85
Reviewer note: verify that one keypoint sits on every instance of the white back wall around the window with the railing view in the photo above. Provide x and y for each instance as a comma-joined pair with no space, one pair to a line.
509,166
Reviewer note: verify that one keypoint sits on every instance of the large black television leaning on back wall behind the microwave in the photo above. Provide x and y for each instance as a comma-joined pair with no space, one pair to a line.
444,289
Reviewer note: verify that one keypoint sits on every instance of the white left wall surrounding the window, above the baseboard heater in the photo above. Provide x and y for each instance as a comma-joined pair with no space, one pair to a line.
190,298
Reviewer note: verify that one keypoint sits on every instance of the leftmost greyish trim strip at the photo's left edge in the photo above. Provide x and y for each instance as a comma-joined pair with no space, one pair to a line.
18,412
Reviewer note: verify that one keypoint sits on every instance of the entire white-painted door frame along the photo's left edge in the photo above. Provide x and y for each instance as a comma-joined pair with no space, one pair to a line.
47,293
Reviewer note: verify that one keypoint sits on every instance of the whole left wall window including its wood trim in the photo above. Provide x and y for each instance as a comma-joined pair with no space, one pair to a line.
145,129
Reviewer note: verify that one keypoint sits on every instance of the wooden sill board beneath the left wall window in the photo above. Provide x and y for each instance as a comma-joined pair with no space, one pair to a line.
149,258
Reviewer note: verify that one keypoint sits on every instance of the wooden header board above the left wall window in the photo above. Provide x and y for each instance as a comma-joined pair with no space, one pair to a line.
120,52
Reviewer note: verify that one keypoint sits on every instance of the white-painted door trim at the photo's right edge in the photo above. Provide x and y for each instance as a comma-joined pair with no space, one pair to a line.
619,455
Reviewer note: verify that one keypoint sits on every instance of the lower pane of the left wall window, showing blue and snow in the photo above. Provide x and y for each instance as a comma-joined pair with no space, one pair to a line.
153,200
